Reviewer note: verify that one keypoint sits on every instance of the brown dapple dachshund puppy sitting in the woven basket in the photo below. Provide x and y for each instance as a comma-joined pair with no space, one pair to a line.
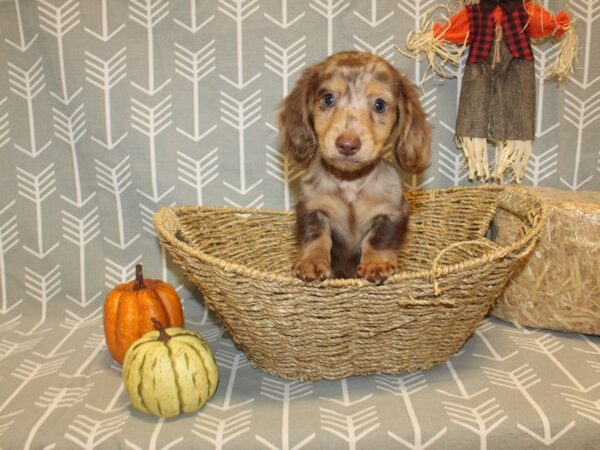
352,216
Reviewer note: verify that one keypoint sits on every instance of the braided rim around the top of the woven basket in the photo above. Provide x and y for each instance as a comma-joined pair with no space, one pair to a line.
164,217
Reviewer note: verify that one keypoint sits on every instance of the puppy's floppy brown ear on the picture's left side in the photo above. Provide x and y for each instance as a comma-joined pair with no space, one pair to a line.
295,118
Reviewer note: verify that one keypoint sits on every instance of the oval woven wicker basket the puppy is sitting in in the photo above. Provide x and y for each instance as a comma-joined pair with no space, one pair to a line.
450,275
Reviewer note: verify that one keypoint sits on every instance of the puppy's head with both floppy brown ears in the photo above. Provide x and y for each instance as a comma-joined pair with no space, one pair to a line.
348,108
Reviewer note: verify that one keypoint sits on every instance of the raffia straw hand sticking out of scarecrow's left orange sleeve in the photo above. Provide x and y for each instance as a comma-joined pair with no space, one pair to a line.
438,52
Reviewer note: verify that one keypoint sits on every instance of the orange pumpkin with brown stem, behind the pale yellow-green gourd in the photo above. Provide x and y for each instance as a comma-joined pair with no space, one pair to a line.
130,307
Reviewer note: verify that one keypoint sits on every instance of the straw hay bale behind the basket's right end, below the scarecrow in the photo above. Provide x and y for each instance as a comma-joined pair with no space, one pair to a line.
559,286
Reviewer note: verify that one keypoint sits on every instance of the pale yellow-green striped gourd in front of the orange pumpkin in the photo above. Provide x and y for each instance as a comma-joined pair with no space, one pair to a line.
169,372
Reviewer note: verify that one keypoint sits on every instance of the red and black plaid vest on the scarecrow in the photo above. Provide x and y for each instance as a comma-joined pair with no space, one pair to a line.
482,33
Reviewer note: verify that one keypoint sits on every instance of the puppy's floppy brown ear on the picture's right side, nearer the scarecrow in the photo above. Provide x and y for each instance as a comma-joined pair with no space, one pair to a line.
412,145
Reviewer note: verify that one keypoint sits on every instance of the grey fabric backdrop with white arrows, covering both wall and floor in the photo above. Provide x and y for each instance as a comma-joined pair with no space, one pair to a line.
110,110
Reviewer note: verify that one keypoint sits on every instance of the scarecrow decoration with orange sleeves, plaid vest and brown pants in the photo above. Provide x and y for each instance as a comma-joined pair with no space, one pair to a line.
497,99
